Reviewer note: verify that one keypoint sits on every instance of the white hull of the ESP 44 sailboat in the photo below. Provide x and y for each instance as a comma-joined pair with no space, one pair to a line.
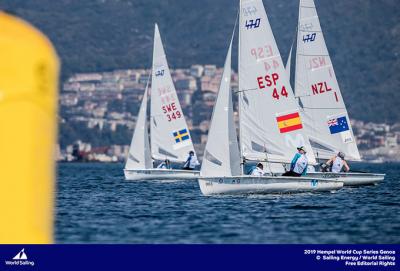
265,185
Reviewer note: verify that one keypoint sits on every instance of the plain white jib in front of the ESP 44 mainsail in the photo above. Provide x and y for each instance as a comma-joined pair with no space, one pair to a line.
221,155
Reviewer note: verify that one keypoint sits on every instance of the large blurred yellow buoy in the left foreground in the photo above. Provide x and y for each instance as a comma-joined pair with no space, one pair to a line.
29,70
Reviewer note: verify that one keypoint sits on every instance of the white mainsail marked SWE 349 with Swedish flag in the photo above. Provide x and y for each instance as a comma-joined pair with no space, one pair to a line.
170,136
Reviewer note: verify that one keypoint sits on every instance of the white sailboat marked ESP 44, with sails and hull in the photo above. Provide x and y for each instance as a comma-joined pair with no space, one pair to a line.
269,126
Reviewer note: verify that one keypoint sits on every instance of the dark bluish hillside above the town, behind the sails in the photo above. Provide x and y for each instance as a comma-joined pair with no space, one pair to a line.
100,35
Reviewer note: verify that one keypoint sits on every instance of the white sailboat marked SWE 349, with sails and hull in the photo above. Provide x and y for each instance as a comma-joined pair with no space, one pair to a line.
169,134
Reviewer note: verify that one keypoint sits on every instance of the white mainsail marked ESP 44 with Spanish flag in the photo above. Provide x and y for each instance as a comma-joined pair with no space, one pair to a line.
270,121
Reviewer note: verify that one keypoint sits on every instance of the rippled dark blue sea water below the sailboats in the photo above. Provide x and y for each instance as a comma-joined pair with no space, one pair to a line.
96,205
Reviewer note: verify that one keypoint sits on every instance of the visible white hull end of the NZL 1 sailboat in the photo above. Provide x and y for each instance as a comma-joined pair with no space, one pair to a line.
351,178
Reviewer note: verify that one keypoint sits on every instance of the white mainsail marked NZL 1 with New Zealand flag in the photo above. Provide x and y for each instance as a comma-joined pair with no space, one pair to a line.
326,119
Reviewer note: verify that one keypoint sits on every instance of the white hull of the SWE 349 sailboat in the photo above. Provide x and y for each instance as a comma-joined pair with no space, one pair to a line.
159,174
